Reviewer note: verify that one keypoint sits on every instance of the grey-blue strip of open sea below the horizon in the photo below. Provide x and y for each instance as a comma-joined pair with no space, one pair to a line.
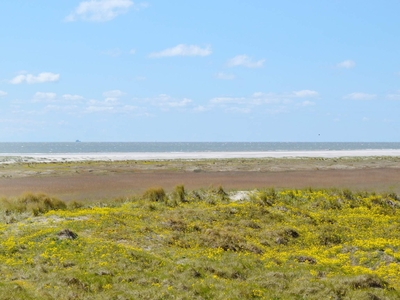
185,147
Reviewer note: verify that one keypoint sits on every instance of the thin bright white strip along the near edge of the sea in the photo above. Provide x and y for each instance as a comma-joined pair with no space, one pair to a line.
69,157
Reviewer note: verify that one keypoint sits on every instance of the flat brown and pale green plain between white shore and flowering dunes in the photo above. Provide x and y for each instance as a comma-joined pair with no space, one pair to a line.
100,180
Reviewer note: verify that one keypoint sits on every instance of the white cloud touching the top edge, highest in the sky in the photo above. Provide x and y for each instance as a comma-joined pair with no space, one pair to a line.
100,10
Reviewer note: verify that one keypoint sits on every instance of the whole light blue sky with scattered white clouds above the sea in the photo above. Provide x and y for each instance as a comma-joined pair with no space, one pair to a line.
197,71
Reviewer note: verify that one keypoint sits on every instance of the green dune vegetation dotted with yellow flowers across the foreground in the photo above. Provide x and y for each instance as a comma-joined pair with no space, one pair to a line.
204,244
